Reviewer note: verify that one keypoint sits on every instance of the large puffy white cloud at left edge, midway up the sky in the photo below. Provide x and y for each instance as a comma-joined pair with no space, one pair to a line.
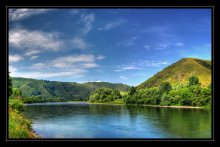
22,38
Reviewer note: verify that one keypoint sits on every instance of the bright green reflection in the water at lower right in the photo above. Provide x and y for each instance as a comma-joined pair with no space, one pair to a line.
186,122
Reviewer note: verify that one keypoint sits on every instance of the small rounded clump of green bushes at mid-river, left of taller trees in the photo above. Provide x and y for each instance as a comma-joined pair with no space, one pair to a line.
104,95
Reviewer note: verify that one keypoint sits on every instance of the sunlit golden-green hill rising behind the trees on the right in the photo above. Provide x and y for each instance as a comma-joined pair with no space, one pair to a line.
180,71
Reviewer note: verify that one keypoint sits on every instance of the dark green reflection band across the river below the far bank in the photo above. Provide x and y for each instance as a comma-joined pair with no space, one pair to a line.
179,122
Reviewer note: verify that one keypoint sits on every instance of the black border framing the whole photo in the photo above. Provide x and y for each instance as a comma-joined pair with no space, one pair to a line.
5,5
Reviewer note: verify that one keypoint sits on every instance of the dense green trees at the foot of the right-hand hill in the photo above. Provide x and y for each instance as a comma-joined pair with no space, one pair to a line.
190,94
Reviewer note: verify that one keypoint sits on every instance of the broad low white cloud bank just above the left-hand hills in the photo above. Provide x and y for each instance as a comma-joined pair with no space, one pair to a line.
68,66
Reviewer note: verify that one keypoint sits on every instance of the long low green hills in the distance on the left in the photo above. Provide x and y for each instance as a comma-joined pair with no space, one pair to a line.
66,90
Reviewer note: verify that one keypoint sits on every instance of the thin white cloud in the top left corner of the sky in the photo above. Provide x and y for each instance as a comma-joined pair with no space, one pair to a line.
20,14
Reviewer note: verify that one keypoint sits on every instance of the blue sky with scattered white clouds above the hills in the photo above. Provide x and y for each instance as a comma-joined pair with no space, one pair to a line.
112,45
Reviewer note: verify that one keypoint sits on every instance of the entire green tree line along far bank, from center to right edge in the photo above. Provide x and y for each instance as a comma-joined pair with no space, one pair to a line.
190,94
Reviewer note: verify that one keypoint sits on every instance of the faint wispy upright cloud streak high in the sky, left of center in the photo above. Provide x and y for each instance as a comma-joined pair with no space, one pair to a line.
88,20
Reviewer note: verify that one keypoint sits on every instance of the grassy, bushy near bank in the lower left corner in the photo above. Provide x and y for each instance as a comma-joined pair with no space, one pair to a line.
18,126
